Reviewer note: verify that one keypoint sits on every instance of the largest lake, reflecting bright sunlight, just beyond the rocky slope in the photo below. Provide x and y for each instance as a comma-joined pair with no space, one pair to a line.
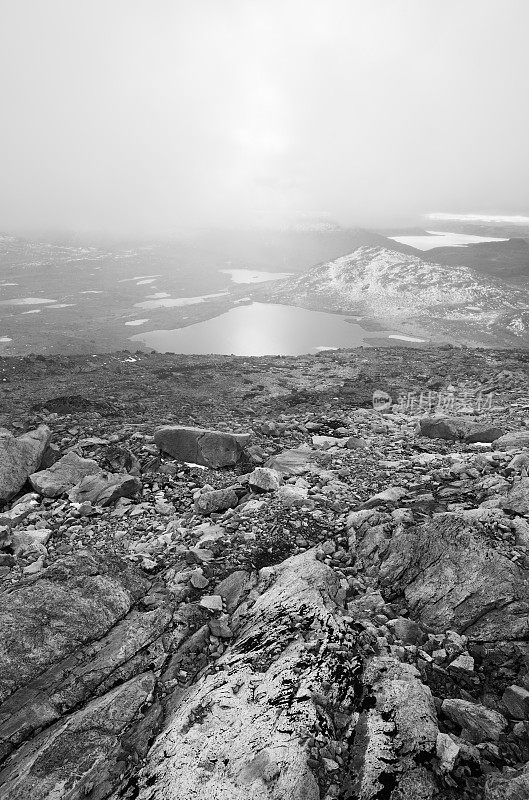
260,329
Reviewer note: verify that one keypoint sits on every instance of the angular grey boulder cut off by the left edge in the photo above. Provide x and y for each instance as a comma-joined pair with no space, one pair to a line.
19,457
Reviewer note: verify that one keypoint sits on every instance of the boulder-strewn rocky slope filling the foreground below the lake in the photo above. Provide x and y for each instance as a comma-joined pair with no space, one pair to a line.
334,605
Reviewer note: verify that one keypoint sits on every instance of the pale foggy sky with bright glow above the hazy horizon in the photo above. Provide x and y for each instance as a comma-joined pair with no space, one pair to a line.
146,116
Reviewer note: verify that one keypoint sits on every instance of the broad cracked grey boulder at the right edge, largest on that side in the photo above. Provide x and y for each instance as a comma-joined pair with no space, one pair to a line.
451,579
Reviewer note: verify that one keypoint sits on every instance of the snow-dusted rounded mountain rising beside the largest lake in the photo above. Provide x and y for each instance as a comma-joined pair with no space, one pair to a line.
396,289
